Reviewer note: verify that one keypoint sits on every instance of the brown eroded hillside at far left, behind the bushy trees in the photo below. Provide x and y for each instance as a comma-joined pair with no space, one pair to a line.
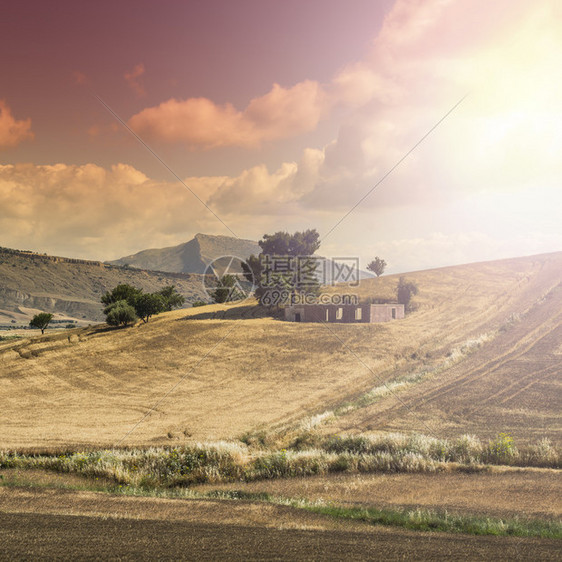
71,288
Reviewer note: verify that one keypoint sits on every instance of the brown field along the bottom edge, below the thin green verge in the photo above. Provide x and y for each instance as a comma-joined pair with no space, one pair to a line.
70,525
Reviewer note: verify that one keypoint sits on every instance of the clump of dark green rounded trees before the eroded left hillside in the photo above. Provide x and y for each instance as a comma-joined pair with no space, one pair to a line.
125,304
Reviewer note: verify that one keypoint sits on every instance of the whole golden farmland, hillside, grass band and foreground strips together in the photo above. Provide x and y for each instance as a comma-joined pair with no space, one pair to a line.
265,429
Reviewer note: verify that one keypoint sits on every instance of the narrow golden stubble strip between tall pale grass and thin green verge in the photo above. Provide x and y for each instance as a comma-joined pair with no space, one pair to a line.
505,493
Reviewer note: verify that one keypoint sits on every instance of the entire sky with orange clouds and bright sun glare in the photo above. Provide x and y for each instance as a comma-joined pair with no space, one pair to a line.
426,132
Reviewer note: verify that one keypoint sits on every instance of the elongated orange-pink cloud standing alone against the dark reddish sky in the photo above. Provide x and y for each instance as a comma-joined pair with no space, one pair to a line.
200,123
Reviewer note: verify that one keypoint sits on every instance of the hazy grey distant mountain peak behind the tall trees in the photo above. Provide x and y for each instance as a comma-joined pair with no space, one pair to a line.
192,256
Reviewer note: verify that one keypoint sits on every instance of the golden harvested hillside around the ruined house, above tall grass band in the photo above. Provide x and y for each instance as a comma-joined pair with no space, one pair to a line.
480,355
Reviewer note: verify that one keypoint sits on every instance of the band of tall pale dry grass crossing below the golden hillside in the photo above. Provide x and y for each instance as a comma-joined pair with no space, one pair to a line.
234,461
